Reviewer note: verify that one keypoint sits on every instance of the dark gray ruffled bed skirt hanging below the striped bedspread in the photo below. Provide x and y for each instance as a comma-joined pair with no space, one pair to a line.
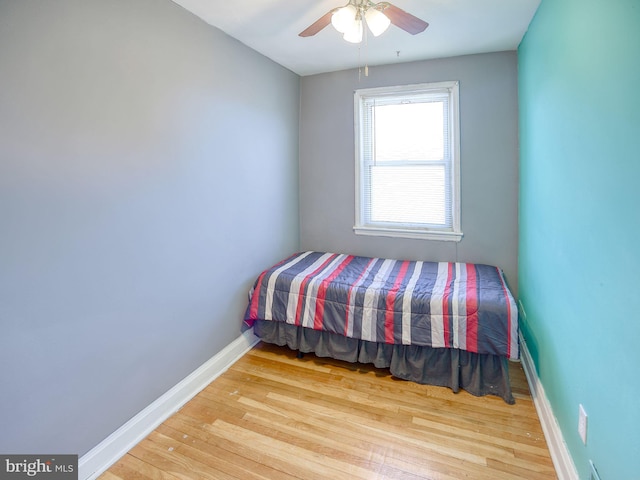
478,374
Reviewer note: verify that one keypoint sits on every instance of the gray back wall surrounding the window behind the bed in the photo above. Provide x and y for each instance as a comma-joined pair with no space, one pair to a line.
489,161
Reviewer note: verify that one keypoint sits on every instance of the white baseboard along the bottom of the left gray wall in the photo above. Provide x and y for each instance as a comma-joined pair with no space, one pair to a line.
112,448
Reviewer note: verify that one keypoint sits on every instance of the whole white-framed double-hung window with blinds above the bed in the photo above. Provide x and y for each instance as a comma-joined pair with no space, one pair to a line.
407,161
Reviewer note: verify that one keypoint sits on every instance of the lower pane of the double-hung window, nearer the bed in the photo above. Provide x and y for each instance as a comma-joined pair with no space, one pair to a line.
408,194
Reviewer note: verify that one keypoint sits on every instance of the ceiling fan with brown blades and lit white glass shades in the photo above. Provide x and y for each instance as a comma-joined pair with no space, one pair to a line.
349,20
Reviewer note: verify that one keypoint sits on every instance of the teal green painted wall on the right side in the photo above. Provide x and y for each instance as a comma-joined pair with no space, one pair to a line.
579,260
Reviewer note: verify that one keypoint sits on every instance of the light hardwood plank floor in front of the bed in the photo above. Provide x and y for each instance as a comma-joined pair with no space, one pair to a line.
273,416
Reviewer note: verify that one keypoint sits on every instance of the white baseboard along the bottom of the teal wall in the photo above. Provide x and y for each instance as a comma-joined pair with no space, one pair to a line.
562,461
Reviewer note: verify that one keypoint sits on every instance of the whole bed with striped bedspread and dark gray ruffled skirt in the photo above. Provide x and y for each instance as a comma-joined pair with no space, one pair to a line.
434,323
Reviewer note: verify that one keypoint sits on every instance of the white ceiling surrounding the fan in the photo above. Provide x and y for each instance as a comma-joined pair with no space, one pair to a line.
456,27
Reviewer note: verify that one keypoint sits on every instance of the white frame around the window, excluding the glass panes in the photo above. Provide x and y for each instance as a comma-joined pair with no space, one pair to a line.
407,230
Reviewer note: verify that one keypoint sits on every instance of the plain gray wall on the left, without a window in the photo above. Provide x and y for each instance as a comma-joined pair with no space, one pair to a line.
148,172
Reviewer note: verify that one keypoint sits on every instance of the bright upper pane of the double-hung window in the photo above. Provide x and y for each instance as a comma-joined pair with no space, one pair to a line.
411,131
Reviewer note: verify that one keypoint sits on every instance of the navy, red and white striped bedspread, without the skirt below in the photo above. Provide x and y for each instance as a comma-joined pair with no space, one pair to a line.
442,305
